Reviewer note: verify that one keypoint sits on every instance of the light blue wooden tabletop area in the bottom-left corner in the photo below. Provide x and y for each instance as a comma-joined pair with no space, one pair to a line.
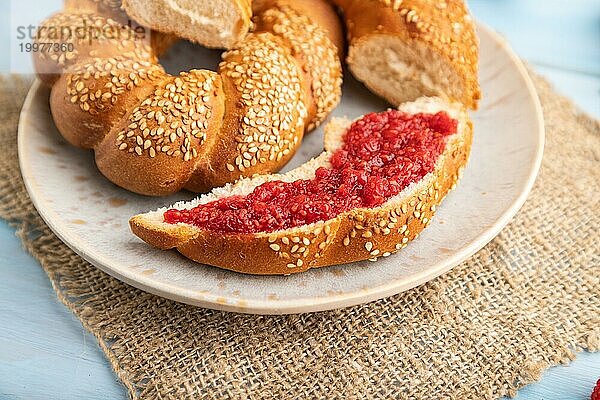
45,353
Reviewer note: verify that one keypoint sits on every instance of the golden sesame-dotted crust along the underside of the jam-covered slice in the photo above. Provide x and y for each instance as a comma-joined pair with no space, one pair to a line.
359,234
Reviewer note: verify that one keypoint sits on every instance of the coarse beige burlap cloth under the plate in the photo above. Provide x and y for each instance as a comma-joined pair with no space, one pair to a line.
530,299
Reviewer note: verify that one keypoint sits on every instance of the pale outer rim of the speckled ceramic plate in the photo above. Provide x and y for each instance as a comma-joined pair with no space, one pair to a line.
302,305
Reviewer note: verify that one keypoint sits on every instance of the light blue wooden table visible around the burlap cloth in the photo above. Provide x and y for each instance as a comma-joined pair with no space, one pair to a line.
46,354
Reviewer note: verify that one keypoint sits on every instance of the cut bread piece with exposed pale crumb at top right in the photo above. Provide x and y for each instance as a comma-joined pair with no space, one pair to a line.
404,49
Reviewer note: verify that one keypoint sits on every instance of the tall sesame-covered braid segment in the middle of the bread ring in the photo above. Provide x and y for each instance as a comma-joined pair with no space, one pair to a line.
268,109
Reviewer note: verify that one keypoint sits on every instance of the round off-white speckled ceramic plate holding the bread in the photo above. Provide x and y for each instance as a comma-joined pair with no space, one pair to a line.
91,215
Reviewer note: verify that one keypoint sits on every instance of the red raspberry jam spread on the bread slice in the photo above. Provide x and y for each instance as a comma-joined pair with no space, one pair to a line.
382,154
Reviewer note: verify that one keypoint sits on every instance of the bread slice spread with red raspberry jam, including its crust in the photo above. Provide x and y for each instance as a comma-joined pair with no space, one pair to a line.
374,189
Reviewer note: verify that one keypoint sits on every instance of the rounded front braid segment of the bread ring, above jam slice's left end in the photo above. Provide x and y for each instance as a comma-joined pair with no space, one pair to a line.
173,138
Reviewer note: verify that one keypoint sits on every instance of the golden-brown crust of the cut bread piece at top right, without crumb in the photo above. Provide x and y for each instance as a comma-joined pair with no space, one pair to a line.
445,27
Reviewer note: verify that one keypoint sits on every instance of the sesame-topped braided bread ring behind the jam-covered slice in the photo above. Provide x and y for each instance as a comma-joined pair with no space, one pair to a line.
154,133
